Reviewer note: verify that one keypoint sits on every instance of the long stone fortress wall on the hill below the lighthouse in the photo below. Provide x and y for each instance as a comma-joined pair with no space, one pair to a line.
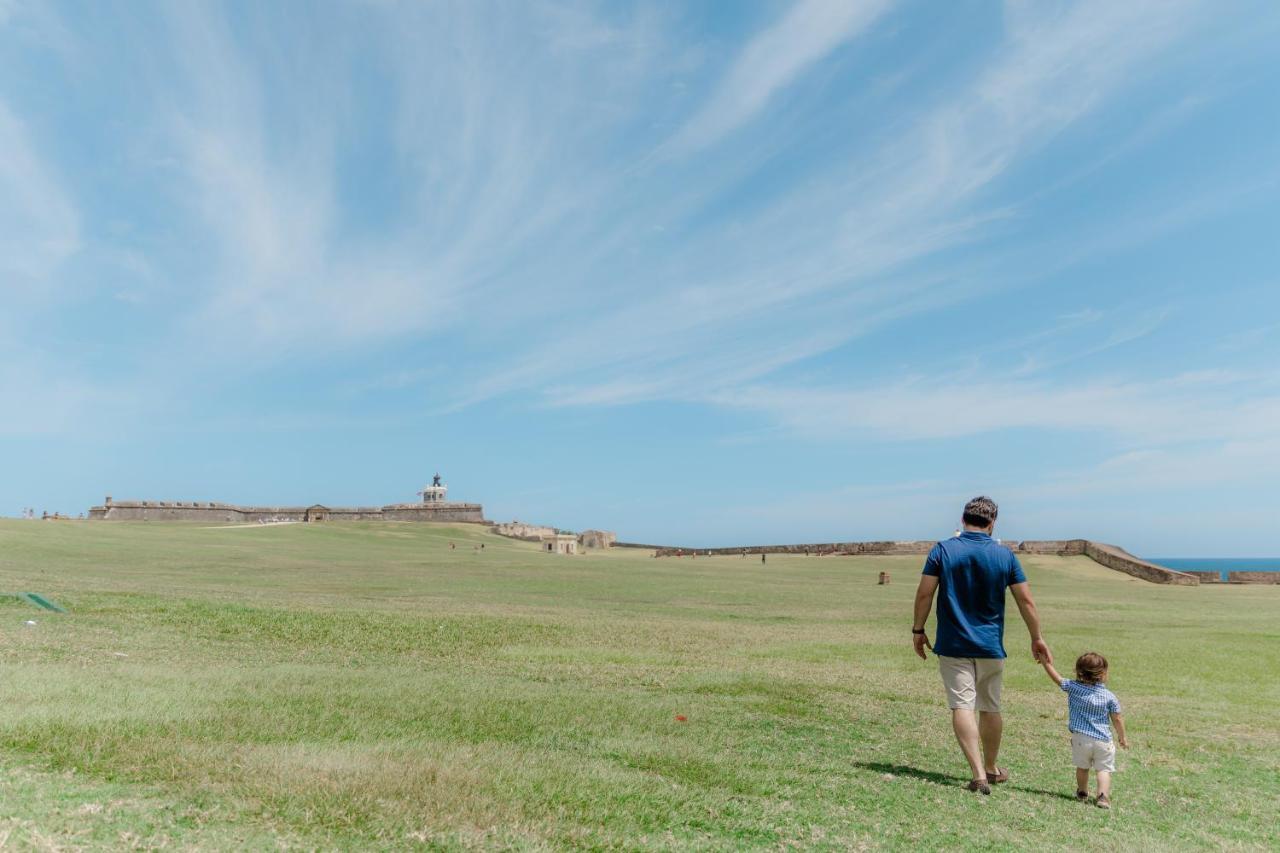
234,514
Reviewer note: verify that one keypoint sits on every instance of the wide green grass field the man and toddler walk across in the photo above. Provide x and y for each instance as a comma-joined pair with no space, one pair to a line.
367,687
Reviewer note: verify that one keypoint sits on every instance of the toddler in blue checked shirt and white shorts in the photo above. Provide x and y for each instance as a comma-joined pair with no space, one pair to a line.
1090,706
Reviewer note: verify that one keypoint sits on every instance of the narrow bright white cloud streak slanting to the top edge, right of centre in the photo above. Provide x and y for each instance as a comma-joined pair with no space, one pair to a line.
772,61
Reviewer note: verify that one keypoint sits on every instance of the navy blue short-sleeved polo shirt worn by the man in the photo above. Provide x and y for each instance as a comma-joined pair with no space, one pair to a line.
973,572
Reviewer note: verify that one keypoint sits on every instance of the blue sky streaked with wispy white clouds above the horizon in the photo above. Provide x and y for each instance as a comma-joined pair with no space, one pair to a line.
701,273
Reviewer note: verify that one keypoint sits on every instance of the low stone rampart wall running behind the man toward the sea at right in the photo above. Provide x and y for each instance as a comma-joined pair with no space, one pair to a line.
1105,555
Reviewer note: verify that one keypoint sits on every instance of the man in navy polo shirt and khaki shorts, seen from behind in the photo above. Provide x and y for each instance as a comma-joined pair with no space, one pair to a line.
972,572
